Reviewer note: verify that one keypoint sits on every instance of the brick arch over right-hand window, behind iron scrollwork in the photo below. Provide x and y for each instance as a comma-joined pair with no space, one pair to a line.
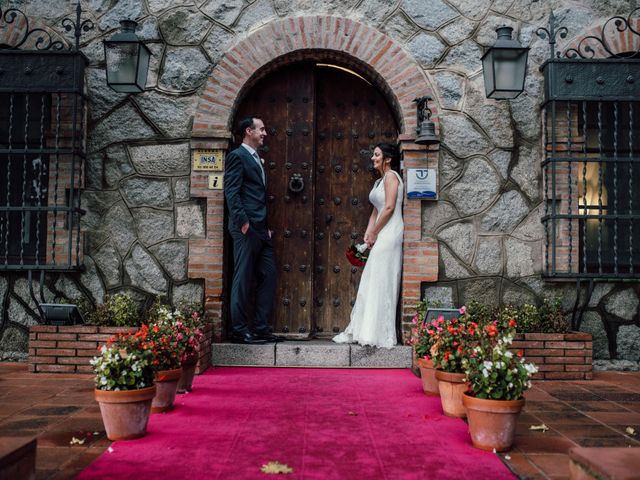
619,42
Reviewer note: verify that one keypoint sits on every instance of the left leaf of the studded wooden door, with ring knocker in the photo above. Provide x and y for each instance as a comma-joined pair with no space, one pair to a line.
284,100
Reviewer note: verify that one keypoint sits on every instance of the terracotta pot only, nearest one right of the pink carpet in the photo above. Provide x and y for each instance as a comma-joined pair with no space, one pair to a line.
492,423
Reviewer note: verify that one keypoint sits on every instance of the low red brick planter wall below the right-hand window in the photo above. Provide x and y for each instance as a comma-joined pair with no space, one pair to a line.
558,356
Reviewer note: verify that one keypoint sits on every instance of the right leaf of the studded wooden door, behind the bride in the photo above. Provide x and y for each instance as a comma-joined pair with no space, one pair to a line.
351,118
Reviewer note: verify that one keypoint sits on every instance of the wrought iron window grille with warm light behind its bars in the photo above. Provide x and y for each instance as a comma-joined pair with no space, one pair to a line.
591,166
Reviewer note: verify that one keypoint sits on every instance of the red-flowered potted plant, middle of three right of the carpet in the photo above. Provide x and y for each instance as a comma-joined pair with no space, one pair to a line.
454,339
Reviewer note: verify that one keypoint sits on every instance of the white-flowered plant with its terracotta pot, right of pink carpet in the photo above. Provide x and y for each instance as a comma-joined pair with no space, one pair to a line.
497,380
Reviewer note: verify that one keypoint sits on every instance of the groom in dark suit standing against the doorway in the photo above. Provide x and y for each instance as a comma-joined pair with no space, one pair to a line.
245,193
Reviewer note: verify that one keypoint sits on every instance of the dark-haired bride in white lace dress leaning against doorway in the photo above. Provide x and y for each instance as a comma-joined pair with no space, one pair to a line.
373,318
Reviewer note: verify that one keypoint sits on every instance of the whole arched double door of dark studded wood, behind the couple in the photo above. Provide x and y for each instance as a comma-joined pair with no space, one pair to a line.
322,124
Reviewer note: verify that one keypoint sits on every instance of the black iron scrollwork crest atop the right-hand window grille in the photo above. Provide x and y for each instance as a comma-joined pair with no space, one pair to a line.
589,44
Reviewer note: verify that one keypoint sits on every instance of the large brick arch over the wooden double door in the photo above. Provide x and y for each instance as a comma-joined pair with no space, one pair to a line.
345,41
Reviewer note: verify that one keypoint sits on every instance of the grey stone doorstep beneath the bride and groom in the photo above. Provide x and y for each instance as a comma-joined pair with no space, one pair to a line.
311,353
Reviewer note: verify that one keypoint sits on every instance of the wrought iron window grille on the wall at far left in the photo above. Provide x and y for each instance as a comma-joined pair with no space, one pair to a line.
43,120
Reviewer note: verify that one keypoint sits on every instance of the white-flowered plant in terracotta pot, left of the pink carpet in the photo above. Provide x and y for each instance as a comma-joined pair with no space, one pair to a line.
124,387
